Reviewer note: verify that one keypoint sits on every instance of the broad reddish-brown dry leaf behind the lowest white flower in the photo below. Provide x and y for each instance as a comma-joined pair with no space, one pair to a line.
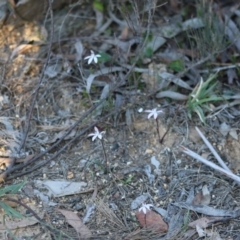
152,221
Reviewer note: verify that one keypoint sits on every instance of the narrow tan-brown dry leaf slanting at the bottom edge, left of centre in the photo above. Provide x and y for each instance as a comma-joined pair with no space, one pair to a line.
76,223
